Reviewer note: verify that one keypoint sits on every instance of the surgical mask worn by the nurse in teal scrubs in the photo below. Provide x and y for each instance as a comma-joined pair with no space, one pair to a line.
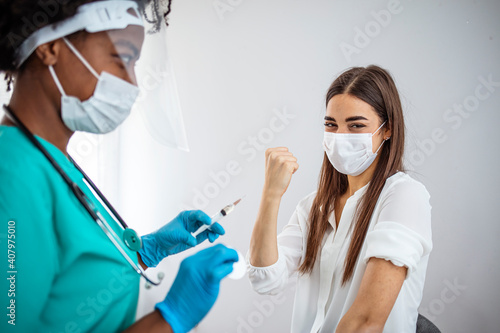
107,108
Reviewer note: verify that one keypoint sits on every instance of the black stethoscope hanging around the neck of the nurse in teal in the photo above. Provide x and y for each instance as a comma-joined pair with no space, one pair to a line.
130,237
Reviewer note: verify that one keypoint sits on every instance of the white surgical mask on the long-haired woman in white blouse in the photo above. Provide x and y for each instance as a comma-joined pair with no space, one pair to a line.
350,154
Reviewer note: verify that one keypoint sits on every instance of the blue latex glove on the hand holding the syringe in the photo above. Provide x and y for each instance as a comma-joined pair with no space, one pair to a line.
175,236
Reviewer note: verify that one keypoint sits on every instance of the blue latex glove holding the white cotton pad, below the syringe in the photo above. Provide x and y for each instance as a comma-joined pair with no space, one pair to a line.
196,287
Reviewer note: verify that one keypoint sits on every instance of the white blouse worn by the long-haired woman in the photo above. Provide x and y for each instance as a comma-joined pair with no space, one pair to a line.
399,231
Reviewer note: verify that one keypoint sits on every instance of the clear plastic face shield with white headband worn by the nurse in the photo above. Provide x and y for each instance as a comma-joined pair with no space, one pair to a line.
131,48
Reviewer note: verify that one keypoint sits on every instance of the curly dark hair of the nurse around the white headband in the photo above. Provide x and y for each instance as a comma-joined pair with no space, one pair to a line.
20,18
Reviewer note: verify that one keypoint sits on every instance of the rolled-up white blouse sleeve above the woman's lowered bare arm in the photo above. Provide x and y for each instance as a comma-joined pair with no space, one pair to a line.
401,225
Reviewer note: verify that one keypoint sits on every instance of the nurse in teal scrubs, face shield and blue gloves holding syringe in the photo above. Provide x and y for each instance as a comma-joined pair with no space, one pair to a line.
67,265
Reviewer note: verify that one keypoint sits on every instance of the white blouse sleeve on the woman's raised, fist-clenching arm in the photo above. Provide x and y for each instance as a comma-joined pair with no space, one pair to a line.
274,278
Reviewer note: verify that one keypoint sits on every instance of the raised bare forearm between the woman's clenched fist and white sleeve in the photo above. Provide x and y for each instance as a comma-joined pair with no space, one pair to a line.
264,244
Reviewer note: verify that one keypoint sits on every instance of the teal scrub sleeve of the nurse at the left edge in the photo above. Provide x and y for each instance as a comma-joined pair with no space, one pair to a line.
25,217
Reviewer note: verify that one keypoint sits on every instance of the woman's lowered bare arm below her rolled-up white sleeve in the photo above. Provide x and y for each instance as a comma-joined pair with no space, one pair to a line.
377,294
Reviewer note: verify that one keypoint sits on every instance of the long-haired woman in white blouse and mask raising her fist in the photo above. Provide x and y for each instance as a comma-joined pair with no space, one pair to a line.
361,242
